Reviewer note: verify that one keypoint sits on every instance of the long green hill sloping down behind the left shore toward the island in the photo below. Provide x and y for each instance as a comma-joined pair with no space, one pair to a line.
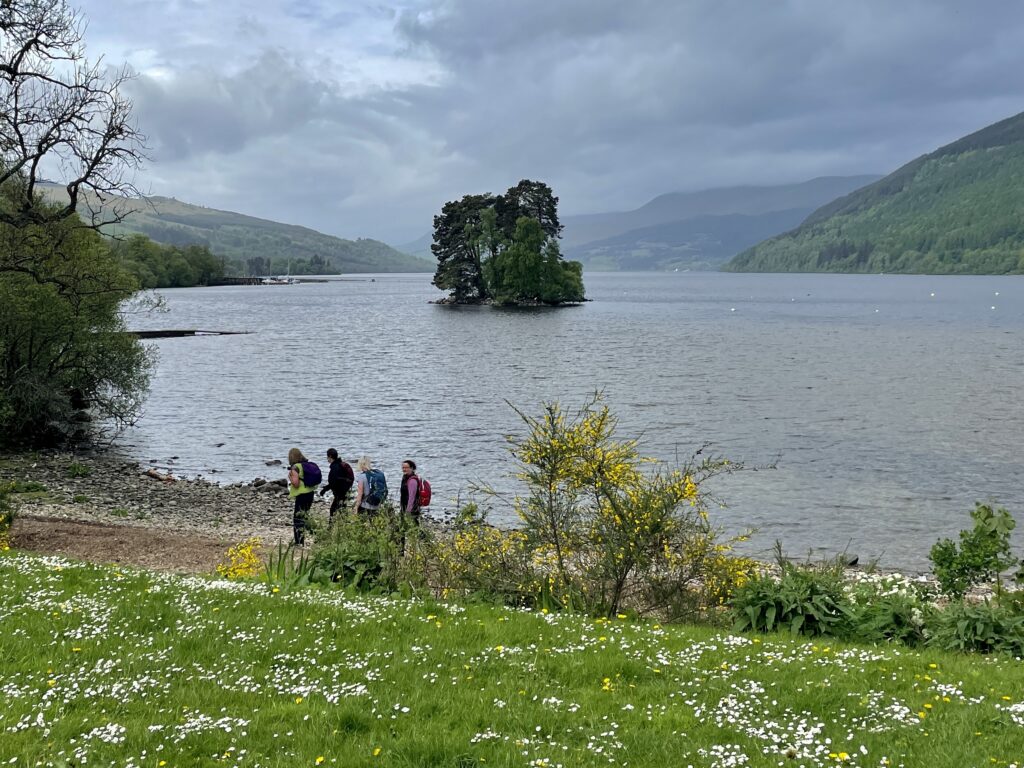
238,237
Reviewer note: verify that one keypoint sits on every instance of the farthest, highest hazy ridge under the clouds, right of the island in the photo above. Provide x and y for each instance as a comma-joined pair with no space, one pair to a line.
747,201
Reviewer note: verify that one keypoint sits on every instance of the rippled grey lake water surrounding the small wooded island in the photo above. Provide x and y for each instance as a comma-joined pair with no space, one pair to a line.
889,404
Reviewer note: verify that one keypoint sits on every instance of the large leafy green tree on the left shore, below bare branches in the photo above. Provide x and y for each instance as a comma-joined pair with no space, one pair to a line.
65,358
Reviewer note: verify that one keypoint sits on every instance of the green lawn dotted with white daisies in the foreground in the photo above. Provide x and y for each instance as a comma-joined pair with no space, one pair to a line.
109,667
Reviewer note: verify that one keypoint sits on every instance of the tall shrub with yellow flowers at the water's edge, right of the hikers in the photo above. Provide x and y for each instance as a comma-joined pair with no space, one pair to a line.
606,529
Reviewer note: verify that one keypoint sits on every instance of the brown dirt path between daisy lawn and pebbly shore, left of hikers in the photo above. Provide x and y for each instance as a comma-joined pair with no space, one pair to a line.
126,545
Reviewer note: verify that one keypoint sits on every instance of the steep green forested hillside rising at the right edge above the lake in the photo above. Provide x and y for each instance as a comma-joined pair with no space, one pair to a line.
958,210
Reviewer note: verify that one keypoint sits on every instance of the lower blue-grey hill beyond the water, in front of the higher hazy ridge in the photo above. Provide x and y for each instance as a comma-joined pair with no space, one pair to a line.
703,243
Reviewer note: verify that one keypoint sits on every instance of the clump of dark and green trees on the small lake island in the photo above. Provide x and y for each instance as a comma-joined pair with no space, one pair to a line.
505,249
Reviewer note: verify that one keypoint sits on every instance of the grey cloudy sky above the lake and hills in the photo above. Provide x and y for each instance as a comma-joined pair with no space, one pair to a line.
361,118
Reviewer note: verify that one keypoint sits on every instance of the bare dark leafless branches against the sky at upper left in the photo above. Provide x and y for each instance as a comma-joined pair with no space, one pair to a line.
61,115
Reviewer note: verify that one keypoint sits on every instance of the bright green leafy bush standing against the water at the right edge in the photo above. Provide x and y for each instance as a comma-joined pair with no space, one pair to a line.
983,556
